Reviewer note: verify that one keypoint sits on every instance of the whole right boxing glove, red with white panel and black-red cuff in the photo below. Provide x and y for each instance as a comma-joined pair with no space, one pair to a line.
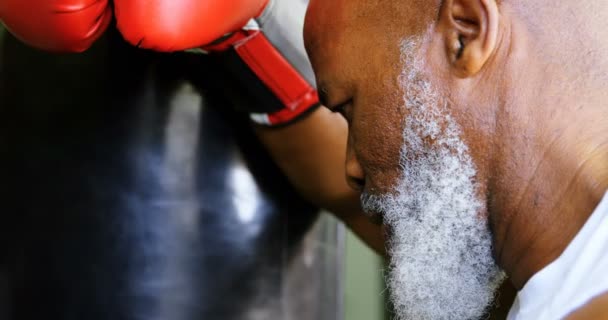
261,41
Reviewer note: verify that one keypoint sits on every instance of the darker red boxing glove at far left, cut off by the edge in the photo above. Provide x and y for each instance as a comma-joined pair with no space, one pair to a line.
56,25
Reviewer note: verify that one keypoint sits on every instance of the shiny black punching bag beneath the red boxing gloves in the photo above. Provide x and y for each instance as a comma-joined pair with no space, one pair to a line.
131,192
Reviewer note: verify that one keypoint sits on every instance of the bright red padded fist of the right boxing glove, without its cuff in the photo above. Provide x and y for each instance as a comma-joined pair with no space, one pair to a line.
175,25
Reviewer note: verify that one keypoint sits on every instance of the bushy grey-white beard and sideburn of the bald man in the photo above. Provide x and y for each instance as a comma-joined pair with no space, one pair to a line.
442,265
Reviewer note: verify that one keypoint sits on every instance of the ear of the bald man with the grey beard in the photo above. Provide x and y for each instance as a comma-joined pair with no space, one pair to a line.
470,30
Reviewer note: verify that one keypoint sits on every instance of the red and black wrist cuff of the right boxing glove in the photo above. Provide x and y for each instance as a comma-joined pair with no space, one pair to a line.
282,94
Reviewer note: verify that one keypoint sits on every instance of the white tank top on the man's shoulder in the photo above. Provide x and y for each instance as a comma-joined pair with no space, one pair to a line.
577,276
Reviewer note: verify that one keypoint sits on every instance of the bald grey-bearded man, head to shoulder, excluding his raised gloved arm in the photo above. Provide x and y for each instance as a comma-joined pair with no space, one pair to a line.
479,135
